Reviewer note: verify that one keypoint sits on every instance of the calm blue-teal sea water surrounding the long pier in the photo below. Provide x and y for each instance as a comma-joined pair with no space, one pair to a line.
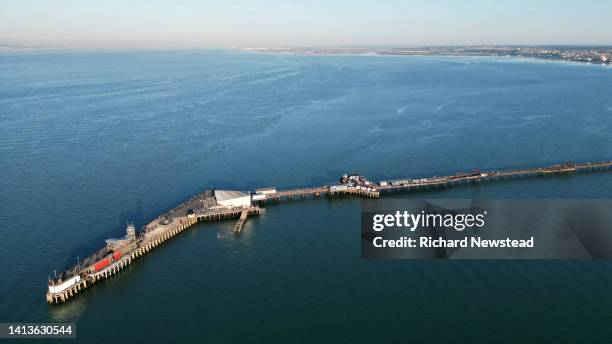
91,140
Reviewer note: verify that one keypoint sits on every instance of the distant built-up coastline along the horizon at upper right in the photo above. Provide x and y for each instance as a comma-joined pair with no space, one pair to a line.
595,55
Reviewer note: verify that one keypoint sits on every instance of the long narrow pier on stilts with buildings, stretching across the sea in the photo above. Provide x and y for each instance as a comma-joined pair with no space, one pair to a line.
212,205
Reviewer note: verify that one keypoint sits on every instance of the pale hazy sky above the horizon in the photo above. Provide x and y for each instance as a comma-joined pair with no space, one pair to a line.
226,23
